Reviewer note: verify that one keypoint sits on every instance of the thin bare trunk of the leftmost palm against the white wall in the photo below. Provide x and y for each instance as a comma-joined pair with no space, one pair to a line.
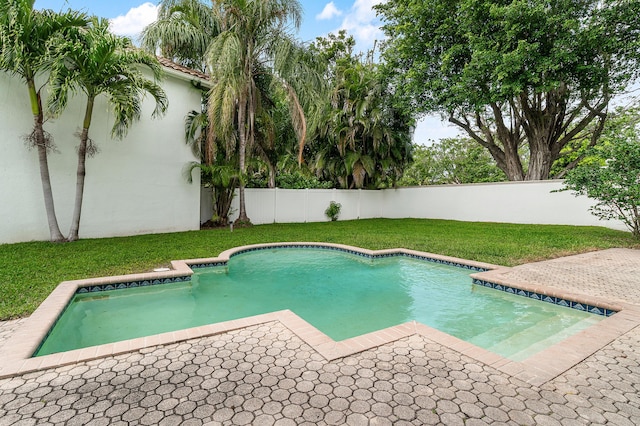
42,147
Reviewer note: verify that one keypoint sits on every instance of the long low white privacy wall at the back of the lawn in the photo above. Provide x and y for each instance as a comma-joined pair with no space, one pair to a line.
509,202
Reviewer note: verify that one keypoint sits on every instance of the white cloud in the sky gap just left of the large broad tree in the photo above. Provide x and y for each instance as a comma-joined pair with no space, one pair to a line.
363,24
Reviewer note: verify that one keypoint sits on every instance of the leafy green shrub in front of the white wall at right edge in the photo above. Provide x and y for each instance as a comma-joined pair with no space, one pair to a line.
611,174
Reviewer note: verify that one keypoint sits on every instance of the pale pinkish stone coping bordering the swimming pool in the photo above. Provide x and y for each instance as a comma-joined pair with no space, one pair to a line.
15,355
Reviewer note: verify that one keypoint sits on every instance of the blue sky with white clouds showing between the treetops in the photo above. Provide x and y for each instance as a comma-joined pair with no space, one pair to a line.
320,18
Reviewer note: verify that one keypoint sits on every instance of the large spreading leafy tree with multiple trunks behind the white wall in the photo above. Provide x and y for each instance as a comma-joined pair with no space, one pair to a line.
517,72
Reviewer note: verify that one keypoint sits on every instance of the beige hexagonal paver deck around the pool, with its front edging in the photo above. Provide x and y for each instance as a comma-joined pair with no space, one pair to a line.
271,372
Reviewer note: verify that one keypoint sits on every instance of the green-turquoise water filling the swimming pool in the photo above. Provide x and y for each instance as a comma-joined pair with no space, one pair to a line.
342,294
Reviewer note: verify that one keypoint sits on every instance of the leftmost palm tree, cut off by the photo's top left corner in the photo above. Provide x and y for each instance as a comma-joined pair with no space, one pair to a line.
25,37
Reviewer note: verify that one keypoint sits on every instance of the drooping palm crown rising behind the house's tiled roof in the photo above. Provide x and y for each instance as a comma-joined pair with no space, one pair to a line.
183,32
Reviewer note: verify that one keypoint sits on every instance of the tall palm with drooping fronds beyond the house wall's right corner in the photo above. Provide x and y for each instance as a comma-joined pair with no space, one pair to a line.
252,41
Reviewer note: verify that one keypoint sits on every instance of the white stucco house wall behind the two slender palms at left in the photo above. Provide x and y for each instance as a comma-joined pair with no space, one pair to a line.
133,186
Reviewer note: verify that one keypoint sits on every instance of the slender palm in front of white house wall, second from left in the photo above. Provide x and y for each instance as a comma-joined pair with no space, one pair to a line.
99,62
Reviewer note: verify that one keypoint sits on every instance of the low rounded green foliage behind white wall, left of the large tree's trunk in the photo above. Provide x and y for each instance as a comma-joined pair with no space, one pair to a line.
451,160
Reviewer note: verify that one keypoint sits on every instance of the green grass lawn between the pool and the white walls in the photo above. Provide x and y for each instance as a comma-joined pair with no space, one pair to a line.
30,271
